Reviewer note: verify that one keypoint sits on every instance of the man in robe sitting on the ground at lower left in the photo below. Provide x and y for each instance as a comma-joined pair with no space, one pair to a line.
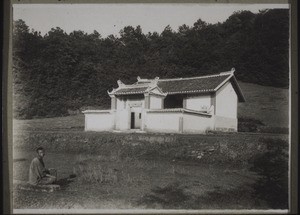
38,174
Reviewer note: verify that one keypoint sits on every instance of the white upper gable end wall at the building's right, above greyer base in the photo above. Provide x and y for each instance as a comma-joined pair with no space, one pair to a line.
226,101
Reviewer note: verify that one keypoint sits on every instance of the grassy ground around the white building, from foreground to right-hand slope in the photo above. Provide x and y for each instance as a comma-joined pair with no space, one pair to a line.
157,171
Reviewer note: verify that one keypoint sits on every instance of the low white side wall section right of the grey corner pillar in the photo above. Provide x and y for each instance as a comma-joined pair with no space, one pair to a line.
193,123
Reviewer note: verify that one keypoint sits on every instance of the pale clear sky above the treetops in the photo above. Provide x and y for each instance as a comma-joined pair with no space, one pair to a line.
111,18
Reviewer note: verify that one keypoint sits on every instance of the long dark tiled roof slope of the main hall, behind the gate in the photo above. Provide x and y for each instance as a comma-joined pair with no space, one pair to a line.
197,84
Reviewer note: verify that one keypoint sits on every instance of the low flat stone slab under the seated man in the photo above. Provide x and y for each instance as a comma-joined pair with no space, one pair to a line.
24,185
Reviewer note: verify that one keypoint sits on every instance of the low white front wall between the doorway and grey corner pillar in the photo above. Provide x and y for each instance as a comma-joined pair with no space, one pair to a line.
162,122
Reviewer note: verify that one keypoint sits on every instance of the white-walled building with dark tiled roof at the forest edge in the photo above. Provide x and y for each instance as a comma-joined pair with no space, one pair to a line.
179,105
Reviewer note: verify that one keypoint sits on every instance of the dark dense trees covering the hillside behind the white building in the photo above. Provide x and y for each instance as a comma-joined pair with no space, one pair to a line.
59,72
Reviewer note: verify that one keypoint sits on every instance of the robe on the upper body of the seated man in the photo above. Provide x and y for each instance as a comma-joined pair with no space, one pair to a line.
37,171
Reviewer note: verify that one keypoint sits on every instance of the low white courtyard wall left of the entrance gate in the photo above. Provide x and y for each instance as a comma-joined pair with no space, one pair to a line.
99,121
